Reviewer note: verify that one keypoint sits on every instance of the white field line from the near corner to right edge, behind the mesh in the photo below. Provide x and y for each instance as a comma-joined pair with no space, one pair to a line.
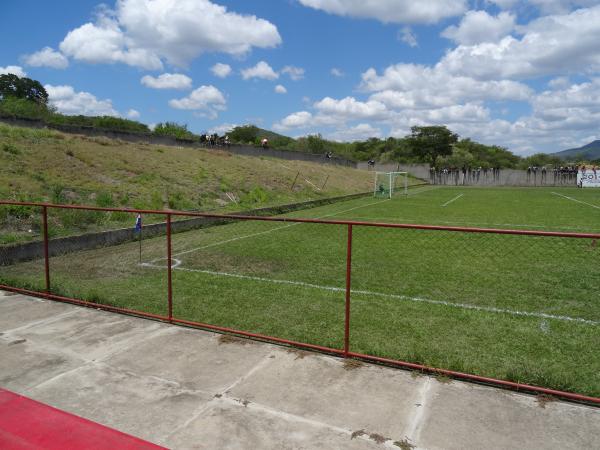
490,309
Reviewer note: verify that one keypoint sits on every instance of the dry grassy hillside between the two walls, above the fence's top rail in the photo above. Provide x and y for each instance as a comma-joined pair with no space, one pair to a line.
46,165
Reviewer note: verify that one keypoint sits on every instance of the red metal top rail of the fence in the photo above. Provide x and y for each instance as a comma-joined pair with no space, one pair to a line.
329,222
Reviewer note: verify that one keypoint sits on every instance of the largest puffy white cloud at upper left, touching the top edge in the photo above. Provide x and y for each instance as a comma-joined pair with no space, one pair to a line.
144,33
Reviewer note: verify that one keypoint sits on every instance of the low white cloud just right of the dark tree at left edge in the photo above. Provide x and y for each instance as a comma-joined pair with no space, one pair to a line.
68,101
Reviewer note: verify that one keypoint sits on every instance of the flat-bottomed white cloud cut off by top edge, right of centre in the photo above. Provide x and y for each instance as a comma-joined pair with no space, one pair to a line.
392,11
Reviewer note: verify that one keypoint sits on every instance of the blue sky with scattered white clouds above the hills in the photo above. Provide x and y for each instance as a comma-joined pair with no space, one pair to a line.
522,74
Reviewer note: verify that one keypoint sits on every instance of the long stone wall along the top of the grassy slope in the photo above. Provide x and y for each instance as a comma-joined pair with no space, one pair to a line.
169,141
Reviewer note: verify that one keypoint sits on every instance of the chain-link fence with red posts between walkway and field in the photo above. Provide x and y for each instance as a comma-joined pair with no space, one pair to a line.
511,305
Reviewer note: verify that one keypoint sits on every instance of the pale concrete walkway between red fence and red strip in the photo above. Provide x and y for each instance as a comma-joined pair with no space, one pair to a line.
185,388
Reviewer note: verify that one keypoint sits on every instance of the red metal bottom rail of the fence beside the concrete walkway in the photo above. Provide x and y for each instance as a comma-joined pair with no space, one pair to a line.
376,359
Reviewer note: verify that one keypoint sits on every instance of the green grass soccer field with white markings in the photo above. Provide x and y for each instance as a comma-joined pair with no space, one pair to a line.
513,307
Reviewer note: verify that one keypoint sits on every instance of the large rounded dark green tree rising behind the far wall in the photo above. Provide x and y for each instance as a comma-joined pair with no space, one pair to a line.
429,143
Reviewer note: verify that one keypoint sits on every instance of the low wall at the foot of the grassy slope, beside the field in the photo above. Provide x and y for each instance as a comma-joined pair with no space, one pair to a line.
35,250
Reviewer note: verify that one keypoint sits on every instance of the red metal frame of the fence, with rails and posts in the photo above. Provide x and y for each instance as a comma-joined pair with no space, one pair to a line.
346,350
